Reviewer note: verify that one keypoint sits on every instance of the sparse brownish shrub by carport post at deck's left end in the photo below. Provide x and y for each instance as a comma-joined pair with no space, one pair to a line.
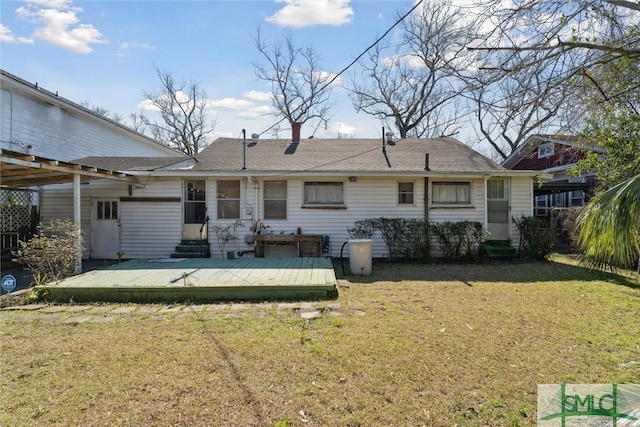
52,252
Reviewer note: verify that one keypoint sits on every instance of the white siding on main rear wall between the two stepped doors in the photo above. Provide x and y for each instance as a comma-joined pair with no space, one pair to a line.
368,197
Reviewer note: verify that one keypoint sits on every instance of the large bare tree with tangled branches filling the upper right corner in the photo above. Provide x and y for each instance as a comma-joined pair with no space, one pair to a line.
543,62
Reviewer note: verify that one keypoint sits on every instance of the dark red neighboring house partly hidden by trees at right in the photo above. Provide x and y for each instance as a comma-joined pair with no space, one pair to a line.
555,154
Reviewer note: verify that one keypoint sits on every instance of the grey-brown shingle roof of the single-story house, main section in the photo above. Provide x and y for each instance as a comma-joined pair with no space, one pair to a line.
343,155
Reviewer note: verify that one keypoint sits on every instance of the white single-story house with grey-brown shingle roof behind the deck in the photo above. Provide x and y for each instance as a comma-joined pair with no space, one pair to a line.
322,186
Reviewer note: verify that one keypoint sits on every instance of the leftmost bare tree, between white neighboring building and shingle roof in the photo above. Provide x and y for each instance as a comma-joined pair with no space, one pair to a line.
184,125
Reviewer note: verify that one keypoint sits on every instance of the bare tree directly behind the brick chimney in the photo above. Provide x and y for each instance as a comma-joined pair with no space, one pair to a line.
300,89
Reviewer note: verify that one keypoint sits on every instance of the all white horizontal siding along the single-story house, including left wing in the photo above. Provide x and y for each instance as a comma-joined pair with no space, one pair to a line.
151,229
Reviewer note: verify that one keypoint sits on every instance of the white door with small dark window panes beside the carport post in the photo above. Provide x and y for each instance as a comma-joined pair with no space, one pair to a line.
105,229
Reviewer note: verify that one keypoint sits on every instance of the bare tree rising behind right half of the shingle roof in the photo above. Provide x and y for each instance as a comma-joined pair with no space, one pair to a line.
412,85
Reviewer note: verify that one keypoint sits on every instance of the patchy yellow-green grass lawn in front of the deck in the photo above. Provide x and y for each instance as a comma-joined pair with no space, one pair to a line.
434,345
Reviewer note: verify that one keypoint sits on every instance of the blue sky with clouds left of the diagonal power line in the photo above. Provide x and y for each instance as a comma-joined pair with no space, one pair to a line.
103,52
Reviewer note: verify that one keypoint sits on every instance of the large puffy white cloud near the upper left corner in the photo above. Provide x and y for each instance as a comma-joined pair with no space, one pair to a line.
57,23
